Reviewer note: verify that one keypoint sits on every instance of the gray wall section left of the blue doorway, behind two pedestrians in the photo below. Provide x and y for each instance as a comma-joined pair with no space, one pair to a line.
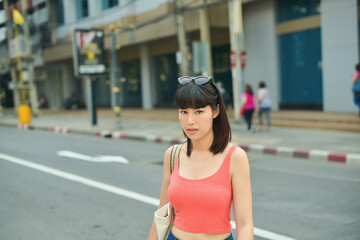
261,46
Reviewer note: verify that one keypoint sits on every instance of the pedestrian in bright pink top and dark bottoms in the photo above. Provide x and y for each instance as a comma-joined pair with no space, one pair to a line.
248,106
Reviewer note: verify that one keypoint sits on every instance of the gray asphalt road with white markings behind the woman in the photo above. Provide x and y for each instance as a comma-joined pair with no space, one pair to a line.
47,196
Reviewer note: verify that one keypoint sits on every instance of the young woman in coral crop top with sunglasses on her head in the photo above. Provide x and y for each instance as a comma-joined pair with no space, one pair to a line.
210,173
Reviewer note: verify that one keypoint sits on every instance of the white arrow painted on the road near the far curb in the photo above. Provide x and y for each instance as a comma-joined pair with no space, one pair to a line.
100,158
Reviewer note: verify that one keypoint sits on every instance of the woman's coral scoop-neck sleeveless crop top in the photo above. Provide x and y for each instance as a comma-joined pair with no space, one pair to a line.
202,205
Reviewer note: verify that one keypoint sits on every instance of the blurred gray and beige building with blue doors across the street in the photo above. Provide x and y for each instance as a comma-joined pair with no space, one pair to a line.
304,50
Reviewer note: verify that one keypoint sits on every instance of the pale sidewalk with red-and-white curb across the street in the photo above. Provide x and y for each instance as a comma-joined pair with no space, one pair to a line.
161,125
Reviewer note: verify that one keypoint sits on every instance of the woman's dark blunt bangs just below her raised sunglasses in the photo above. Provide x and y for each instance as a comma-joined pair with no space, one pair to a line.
195,96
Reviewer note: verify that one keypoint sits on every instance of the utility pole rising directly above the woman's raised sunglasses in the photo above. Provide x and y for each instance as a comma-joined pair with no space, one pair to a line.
181,35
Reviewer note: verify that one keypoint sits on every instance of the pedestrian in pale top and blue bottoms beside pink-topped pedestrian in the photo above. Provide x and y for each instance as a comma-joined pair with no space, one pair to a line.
264,100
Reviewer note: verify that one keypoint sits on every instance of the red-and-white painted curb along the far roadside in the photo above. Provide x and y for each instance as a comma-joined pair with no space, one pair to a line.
315,155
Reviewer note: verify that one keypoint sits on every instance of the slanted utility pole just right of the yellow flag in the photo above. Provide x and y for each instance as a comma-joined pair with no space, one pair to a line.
30,62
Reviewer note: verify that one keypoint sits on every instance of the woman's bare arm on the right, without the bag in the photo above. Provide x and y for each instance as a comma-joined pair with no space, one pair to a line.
241,187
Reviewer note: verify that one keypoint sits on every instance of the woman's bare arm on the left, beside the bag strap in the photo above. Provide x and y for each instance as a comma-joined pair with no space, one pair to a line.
163,197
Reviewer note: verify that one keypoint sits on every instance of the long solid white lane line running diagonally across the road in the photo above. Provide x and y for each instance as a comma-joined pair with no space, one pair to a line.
120,191
